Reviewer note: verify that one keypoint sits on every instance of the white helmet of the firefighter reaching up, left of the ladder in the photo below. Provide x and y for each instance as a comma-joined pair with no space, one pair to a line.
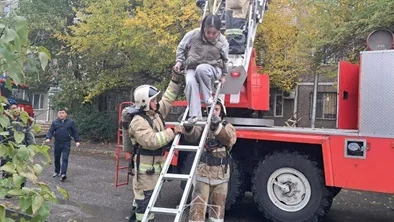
143,95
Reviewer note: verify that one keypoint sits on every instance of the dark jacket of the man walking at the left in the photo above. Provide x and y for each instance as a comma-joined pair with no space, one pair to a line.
63,130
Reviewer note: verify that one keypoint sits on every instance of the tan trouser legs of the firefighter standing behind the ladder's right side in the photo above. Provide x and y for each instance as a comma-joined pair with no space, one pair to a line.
211,197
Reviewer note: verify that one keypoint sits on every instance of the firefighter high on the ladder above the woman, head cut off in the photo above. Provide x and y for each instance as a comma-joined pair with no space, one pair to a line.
236,17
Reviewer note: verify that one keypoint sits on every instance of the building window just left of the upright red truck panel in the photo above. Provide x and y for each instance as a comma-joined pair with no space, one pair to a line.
326,106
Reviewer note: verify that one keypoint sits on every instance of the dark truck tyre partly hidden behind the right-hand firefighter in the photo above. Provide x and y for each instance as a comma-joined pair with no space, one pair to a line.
236,187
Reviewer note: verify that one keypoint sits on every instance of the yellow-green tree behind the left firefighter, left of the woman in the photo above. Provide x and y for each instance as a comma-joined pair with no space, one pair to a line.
124,44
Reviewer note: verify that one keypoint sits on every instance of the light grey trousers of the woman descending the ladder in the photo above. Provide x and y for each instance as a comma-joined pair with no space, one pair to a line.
200,80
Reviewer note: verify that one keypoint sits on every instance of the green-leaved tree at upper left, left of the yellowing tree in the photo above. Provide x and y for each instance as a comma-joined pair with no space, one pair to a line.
48,18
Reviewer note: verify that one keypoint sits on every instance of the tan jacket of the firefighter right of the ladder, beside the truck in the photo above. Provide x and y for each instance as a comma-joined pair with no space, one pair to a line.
214,166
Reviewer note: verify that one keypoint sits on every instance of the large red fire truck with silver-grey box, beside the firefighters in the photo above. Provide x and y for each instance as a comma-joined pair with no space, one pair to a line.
294,173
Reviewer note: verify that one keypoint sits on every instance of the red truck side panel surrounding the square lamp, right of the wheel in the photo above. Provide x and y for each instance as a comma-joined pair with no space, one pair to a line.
375,173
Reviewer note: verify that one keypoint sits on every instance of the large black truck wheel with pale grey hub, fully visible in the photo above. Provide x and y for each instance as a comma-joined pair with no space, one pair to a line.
288,186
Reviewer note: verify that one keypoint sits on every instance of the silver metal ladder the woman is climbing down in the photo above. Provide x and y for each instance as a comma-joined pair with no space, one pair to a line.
237,63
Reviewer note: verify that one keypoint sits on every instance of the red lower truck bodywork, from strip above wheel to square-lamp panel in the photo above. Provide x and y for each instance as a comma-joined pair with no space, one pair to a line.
371,174
